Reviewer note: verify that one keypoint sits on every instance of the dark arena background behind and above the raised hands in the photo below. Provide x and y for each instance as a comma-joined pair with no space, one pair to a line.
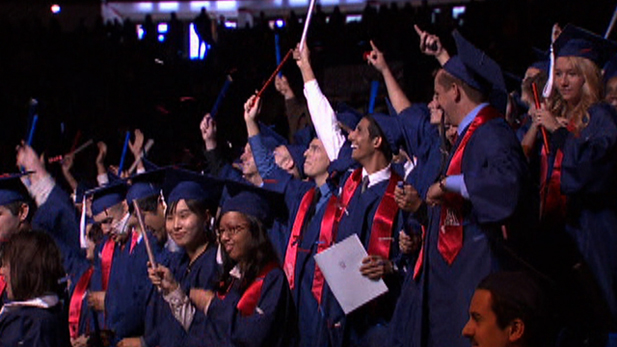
98,80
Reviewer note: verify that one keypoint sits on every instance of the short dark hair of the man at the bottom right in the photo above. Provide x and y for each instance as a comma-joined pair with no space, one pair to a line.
517,295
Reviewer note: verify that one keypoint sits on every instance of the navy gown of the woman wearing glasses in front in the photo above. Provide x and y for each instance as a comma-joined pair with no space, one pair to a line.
272,324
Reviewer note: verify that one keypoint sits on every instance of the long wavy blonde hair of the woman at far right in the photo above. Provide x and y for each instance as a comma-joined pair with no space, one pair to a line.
591,92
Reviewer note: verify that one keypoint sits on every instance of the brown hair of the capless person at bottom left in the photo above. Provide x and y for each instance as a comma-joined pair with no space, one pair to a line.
35,265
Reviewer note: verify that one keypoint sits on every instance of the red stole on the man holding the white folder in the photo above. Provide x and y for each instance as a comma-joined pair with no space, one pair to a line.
381,230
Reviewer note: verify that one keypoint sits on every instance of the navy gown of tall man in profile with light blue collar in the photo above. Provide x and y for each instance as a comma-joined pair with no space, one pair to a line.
498,182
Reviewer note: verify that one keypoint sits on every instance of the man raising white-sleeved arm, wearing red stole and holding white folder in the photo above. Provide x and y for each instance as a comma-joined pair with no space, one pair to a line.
367,194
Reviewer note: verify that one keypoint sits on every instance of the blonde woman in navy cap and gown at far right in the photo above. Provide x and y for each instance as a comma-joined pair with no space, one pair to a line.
583,159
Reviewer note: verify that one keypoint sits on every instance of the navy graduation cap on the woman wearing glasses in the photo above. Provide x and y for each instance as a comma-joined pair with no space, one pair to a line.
263,204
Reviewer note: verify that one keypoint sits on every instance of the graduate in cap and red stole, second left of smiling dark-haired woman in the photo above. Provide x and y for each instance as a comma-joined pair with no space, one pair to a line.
120,272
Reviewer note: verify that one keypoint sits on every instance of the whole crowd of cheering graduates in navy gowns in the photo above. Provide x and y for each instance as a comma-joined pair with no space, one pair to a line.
489,214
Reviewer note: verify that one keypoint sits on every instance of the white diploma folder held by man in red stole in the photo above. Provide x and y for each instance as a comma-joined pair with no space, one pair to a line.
340,265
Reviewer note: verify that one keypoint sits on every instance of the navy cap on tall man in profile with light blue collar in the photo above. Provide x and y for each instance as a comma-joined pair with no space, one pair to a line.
478,70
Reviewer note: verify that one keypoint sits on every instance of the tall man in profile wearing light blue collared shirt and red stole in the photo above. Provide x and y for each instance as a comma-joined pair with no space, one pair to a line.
478,204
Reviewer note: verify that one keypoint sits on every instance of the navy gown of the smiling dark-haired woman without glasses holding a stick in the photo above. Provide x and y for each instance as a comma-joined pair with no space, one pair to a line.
202,273
